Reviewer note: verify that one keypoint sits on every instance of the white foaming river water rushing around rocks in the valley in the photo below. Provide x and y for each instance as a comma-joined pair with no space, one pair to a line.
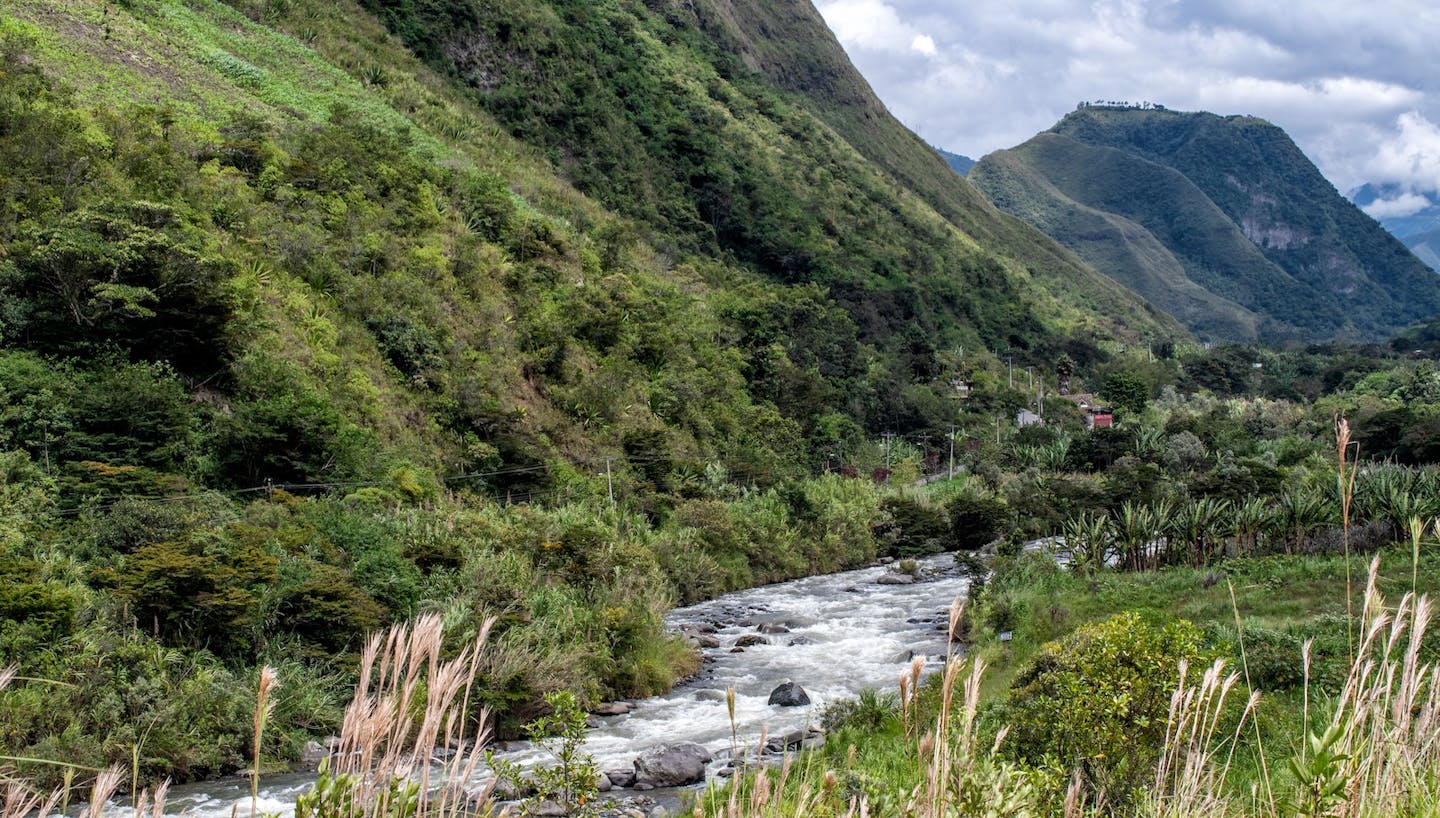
860,634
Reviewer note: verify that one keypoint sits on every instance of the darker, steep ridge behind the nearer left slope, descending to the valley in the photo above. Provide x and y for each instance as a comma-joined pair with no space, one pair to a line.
742,127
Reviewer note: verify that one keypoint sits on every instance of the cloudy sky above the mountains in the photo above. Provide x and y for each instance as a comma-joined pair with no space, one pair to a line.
1357,84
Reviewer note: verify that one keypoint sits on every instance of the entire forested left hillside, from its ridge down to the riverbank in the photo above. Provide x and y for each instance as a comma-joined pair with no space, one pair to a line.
305,332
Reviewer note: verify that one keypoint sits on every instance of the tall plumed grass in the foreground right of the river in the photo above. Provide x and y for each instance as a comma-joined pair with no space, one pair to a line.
1377,755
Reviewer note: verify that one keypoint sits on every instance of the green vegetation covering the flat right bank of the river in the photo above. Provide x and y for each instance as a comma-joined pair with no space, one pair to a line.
1202,529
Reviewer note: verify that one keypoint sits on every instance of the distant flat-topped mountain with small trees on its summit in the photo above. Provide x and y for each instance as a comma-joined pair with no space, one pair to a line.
1220,221
